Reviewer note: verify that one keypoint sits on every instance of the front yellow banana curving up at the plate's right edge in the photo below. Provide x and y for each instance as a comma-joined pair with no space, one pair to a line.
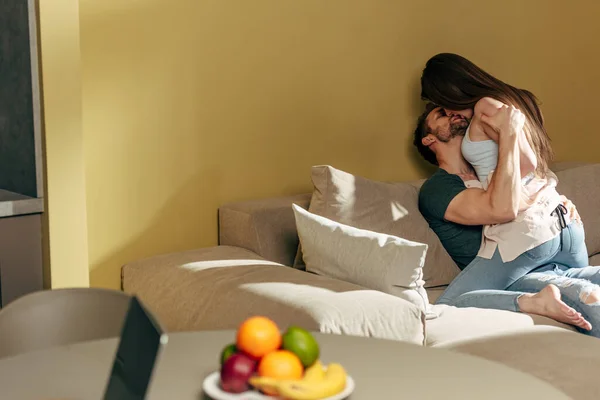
333,383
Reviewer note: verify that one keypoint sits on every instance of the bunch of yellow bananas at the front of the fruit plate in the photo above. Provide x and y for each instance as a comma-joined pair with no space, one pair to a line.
311,387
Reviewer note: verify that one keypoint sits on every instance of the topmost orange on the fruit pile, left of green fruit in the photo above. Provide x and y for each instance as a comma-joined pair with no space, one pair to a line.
258,336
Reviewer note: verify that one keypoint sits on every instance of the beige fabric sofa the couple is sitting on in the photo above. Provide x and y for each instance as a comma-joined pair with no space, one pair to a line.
249,273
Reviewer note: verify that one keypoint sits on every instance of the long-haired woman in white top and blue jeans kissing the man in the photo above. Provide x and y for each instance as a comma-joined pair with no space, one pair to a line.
547,228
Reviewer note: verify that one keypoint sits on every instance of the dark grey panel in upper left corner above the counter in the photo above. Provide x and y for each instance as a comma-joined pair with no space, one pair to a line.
21,148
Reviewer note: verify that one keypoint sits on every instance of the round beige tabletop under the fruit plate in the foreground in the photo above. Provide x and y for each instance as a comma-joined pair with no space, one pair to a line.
381,369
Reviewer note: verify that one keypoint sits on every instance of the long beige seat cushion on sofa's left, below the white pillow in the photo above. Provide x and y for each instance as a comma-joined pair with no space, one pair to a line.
219,287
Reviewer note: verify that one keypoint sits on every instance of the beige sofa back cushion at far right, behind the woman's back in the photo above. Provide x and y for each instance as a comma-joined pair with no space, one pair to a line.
581,185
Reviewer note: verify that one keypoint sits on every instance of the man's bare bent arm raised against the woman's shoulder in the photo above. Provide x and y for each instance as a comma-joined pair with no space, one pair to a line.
500,203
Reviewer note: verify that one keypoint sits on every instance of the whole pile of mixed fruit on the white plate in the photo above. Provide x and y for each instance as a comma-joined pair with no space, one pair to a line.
285,365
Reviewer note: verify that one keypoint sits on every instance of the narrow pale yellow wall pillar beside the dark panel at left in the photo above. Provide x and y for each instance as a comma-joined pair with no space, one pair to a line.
65,228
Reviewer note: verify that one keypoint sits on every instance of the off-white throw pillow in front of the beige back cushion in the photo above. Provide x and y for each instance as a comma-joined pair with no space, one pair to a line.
373,260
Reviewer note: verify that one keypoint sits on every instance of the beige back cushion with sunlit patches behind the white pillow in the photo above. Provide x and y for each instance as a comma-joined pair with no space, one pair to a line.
390,208
